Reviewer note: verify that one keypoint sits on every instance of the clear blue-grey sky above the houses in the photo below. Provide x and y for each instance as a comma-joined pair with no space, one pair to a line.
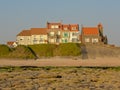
16,15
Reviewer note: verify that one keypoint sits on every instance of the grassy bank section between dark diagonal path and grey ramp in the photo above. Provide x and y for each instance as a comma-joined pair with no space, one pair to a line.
50,50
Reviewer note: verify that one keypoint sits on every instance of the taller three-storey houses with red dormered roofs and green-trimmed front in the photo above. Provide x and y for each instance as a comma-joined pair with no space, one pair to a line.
63,33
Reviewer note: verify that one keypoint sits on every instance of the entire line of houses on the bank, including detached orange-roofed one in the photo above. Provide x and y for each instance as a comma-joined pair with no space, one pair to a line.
56,33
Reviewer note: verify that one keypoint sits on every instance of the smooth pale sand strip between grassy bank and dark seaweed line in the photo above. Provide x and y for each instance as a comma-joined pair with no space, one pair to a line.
62,62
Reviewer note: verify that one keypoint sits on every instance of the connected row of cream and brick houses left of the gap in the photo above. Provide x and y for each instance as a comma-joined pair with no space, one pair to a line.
53,33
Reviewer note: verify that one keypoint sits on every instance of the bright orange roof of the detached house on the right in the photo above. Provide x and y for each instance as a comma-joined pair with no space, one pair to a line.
90,31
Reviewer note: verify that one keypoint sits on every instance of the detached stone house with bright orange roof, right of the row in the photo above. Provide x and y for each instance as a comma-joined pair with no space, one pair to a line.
92,35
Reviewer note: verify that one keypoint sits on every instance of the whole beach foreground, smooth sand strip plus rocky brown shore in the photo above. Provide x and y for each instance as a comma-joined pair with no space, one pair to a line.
60,78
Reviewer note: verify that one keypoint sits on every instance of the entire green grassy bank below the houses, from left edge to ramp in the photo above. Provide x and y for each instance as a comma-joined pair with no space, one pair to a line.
41,50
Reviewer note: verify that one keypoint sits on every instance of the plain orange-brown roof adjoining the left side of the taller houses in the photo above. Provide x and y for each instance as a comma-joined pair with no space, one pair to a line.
37,31
